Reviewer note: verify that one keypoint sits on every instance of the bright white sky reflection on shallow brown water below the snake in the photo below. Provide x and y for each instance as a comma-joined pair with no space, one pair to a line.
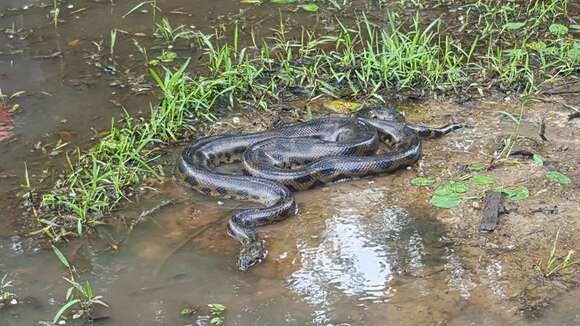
365,245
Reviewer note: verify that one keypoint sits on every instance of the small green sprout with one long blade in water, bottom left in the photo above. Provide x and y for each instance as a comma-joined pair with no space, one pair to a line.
80,296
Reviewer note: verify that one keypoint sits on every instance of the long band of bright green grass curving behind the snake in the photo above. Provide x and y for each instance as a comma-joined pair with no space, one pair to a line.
363,62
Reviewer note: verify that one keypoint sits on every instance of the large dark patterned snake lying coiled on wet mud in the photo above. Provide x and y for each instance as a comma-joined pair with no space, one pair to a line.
297,157
